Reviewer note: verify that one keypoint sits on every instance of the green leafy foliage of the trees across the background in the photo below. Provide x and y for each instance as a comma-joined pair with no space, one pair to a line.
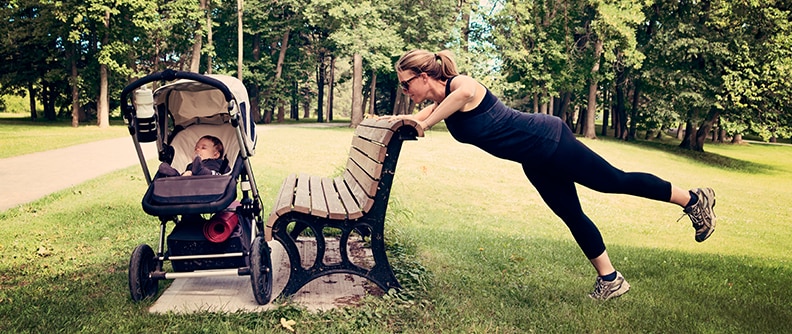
683,59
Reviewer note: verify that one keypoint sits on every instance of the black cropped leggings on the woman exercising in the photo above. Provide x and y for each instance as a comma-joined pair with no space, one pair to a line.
573,163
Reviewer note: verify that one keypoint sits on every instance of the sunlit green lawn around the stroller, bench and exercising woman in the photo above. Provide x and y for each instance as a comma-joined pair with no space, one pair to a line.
470,238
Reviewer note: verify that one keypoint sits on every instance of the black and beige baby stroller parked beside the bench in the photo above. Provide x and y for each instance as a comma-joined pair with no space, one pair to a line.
230,241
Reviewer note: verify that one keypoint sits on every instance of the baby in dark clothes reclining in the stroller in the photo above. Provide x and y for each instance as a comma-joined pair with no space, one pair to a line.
208,160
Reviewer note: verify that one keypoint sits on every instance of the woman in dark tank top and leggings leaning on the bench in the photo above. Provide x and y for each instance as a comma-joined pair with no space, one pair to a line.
551,157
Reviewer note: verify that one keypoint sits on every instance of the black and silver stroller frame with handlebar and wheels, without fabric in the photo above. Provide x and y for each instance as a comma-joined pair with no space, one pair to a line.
146,266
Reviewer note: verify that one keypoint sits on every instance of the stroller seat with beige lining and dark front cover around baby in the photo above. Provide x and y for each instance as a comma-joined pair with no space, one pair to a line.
168,196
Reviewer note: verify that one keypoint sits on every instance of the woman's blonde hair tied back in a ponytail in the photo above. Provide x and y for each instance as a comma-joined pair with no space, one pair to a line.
438,66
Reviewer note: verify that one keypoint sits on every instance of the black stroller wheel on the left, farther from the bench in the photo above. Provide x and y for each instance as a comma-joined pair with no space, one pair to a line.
142,263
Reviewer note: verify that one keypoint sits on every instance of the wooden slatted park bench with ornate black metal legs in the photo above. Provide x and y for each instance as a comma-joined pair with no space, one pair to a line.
354,202
